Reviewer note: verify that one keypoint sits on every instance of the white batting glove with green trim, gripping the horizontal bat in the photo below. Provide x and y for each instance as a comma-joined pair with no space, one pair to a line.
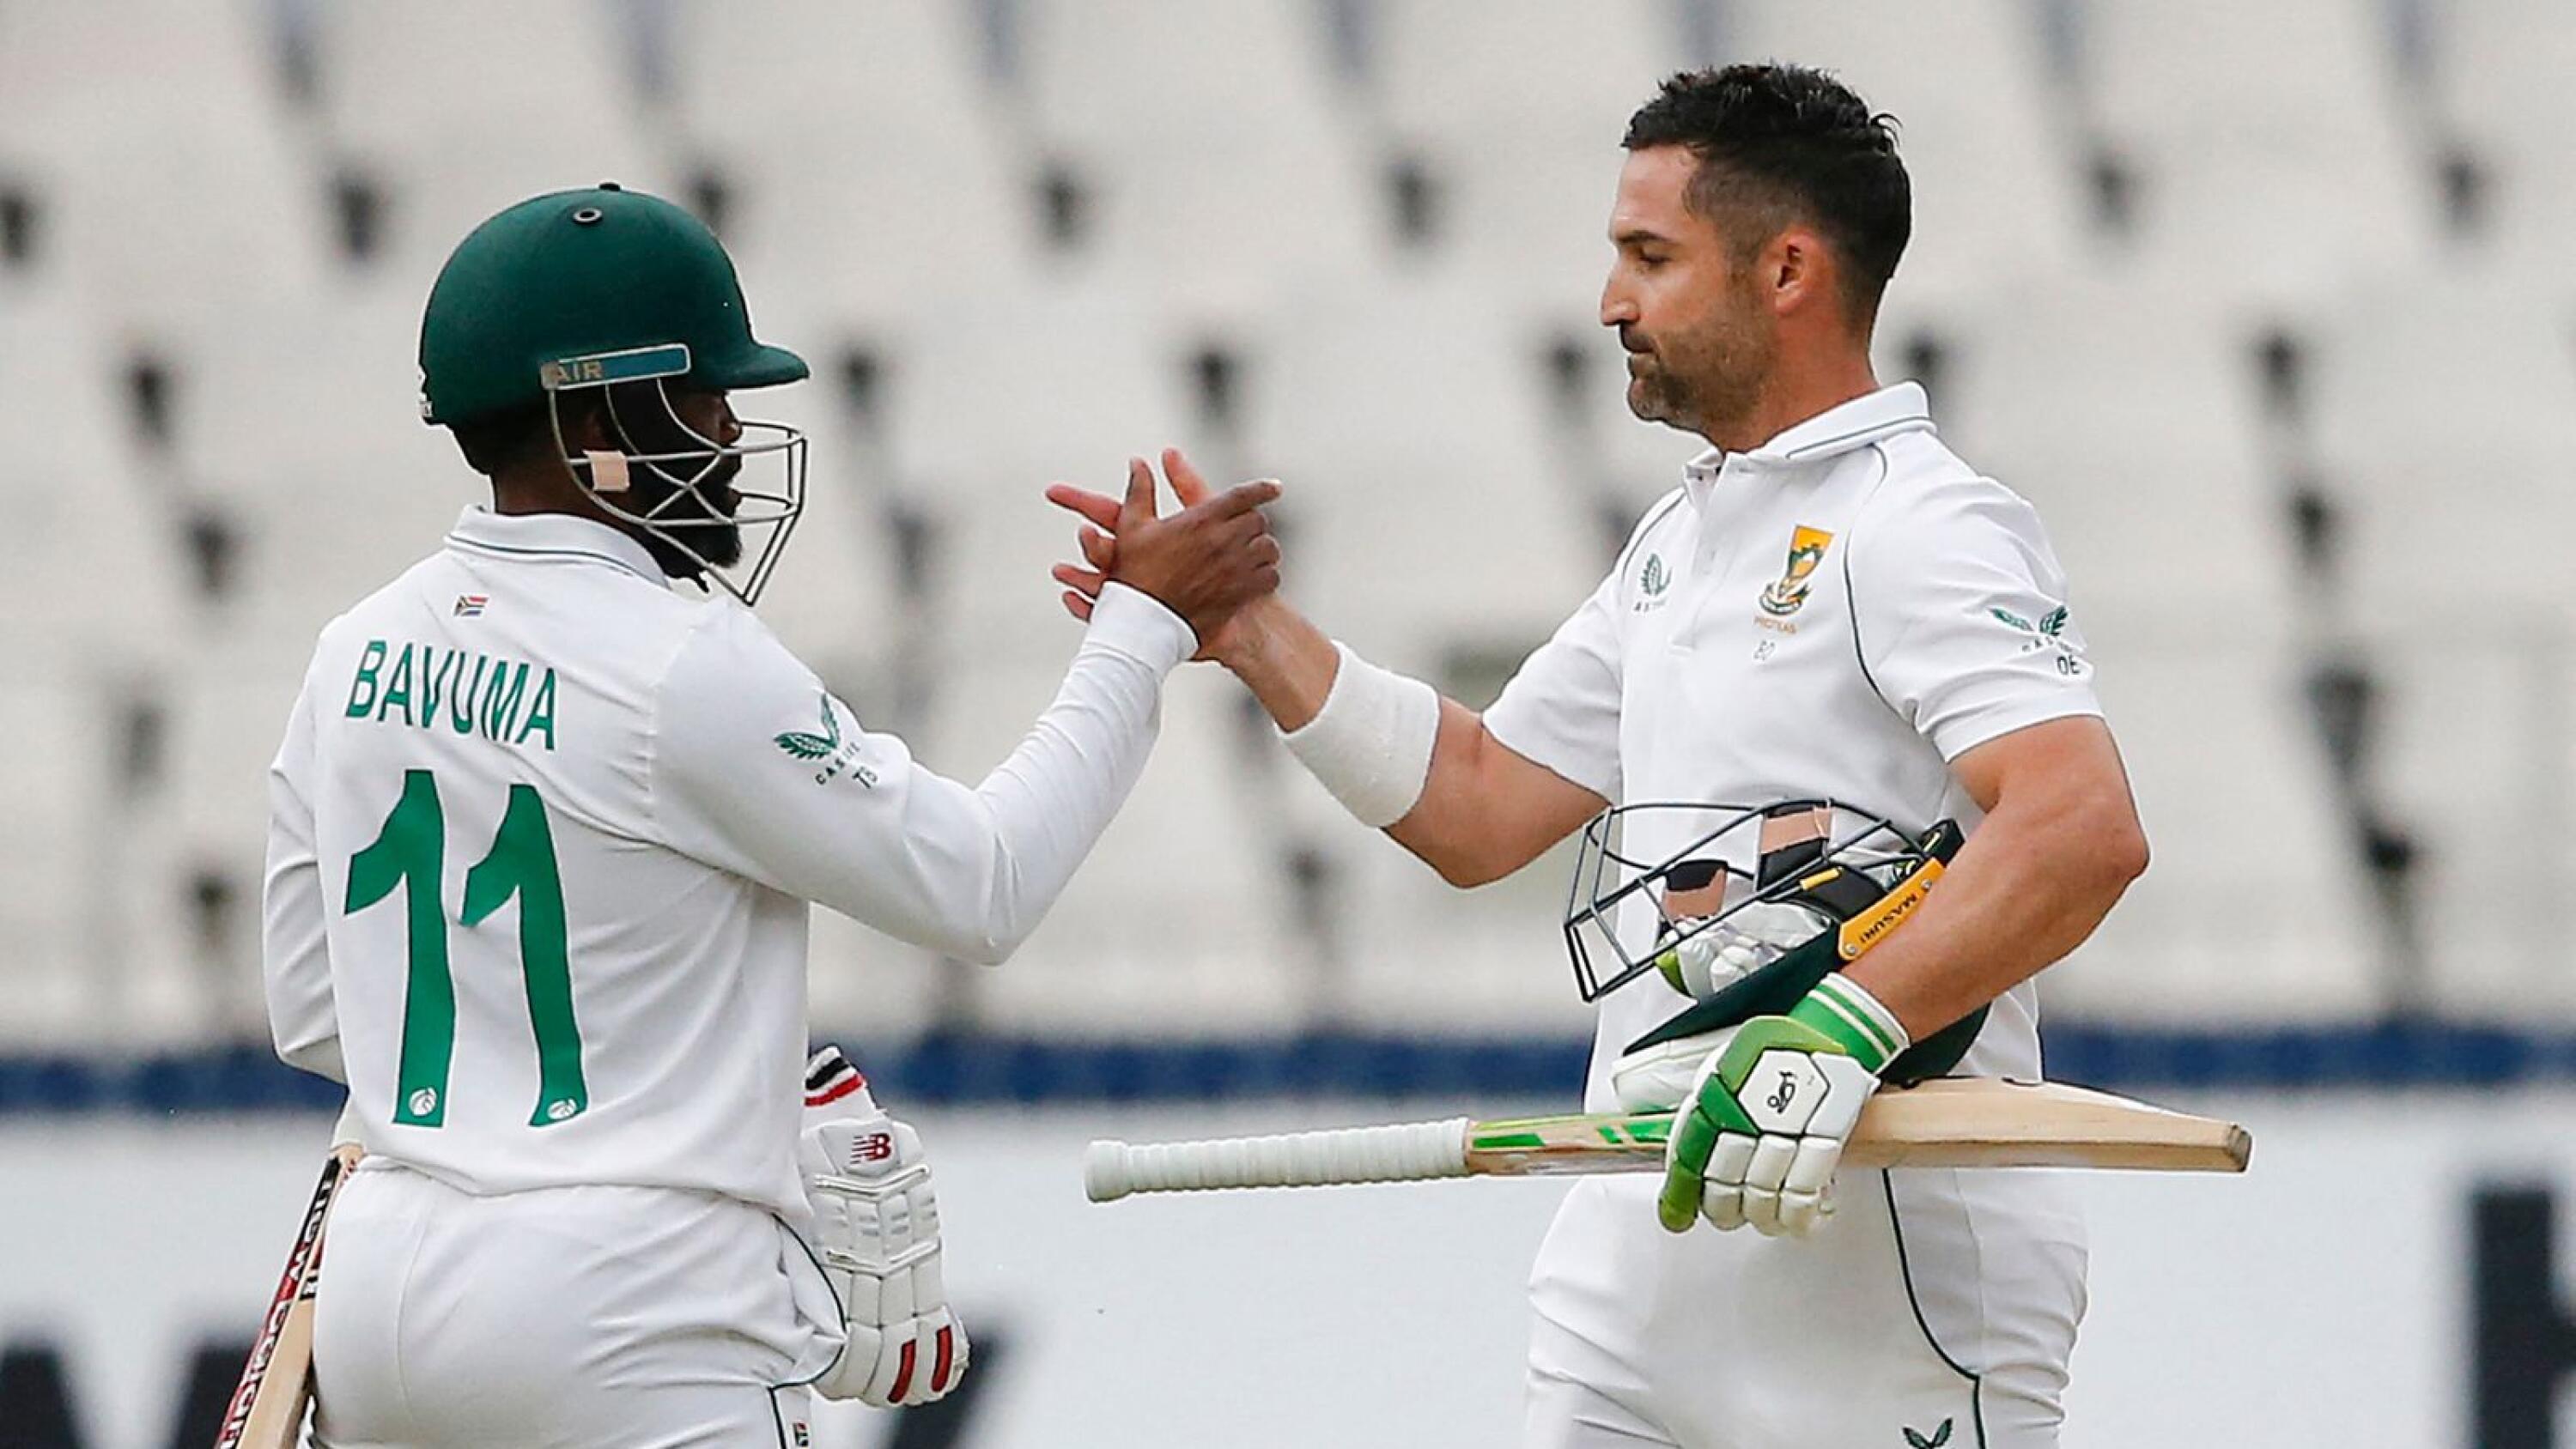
1763,1129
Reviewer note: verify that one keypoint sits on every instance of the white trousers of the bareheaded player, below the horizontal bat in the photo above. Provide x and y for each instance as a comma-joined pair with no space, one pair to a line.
1933,1311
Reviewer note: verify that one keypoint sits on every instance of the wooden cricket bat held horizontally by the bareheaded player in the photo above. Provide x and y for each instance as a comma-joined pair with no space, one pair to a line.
1951,1123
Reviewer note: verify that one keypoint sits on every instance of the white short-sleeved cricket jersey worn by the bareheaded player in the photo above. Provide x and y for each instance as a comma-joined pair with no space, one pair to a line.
1838,614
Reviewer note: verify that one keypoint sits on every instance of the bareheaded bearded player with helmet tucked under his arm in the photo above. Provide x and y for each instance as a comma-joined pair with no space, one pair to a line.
1864,797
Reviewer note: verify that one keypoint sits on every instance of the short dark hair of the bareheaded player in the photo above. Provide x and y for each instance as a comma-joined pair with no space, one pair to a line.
1784,143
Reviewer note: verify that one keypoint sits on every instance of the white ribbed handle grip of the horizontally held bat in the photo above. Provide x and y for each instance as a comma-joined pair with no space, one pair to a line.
1408,1152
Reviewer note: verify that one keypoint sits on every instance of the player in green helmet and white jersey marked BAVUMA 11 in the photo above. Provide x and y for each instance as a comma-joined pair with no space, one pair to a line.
545,833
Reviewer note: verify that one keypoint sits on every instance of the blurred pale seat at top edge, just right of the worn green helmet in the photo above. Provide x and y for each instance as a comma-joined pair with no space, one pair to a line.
867,166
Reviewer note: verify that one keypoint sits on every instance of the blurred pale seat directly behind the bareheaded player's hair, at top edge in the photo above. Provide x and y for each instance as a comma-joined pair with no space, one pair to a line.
1993,163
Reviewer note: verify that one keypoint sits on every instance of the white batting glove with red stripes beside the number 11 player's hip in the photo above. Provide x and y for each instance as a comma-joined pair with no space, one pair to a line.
877,1232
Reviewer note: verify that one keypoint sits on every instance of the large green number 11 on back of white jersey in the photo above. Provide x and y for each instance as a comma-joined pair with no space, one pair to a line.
411,853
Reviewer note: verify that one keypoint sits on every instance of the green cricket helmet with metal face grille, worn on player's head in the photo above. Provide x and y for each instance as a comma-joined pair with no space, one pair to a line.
627,295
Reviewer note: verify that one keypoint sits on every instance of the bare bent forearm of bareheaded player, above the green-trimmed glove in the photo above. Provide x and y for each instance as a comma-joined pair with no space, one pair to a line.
2026,889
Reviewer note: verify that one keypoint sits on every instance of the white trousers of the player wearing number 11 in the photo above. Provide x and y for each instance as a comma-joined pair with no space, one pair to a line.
563,1319
